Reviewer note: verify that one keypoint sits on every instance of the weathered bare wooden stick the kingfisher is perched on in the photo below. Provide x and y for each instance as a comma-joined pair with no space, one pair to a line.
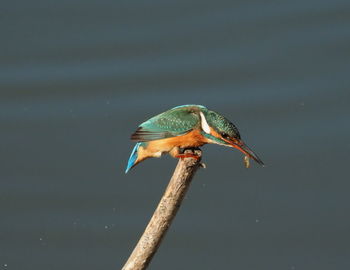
164,214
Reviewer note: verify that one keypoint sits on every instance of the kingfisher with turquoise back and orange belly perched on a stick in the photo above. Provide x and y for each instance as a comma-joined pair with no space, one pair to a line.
186,126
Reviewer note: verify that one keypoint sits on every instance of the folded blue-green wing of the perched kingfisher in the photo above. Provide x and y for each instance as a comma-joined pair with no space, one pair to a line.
175,122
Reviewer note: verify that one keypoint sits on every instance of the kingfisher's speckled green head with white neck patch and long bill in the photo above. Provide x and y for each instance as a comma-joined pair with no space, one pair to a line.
221,131
